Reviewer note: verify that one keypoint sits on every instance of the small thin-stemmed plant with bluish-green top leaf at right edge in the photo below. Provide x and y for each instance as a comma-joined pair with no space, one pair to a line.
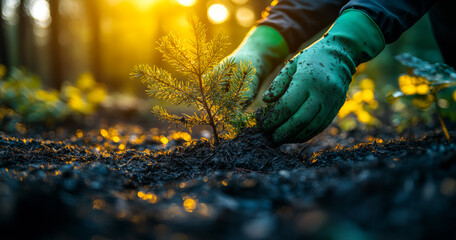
423,83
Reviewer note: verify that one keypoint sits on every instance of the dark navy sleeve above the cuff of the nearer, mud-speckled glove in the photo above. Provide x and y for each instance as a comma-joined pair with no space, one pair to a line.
392,16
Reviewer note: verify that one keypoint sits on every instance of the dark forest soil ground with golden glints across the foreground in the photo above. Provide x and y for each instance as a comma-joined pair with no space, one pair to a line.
91,185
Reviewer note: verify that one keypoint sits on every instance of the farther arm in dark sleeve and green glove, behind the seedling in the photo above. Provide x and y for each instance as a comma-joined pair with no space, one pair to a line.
284,27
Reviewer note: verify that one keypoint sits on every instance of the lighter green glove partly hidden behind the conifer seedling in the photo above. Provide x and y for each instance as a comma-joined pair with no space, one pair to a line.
265,48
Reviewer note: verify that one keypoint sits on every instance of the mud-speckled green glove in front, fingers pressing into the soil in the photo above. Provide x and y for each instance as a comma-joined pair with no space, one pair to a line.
312,87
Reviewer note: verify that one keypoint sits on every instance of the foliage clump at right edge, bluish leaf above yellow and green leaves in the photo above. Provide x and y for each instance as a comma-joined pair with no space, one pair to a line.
422,86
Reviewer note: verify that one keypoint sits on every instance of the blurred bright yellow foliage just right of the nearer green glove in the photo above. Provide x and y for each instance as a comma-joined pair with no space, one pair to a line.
360,104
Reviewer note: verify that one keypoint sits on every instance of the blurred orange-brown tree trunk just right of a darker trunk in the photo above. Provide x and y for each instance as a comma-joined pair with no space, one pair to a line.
93,11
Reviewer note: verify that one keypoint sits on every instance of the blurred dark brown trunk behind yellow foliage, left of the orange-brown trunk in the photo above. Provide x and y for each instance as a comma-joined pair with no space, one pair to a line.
56,61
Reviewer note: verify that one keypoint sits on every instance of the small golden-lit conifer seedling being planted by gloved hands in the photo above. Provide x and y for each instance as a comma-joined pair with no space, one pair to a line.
217,89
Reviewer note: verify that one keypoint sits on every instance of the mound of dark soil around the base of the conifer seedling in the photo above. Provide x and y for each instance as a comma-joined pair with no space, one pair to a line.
250,151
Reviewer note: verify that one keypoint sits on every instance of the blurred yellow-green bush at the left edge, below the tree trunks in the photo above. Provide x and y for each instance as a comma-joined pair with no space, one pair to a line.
24,101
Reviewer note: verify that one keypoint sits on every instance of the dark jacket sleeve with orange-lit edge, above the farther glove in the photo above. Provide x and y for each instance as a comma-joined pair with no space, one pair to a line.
299,20
